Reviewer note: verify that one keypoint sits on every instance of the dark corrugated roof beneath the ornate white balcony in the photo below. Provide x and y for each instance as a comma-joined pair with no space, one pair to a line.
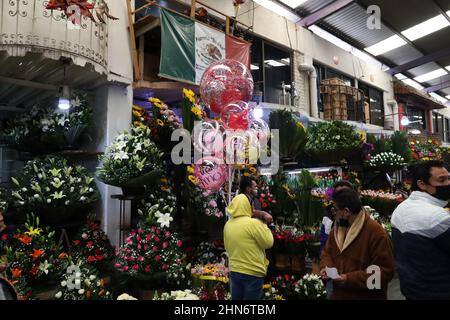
34,67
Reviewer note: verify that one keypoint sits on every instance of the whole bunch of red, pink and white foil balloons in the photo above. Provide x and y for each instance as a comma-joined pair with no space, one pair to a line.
226,88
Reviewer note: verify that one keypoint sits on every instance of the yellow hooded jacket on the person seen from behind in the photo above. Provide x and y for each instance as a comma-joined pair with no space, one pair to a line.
246,239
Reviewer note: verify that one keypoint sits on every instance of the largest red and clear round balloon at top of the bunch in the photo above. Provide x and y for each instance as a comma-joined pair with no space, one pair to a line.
225,82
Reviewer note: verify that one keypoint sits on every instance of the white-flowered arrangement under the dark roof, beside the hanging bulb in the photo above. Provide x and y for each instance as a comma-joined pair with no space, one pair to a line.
51,126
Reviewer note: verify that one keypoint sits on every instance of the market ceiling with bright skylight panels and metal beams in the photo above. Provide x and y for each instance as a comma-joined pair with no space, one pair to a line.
413,41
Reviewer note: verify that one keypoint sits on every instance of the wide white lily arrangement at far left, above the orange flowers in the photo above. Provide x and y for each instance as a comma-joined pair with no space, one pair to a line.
49,185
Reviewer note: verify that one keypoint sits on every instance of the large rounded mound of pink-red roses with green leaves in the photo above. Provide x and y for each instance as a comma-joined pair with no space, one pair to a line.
150,251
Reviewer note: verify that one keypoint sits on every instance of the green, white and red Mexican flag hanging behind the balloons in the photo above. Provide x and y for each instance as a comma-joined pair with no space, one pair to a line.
188,47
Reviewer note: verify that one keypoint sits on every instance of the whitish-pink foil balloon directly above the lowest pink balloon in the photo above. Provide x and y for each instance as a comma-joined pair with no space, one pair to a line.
207,137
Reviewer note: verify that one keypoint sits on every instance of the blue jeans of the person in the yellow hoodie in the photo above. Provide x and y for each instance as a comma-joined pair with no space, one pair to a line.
246,287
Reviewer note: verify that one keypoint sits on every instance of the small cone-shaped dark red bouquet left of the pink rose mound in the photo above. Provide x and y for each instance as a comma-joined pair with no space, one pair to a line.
92,246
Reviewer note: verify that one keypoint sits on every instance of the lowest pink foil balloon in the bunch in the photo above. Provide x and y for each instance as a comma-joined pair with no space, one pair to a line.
211,173
